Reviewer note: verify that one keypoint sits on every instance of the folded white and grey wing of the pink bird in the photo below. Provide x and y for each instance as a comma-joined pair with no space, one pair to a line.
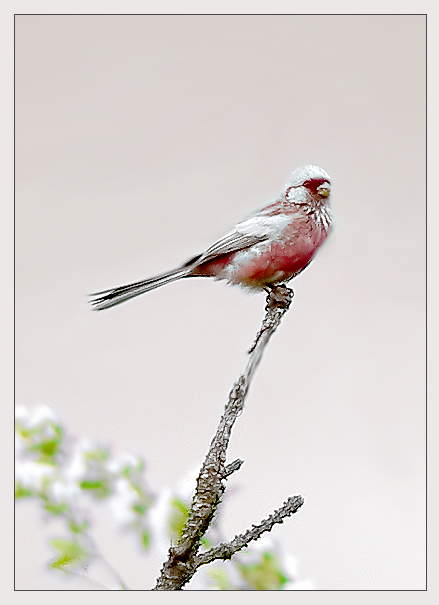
248,233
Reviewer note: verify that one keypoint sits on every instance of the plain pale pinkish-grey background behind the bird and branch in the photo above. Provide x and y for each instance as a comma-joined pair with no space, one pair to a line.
142,139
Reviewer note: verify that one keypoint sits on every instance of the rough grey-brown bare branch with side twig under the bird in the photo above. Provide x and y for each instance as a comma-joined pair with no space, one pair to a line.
183,559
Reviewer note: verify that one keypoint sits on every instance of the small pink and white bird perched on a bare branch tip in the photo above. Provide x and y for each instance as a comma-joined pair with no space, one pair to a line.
267,249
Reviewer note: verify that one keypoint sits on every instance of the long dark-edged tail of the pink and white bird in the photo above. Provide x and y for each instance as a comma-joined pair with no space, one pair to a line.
115,296
